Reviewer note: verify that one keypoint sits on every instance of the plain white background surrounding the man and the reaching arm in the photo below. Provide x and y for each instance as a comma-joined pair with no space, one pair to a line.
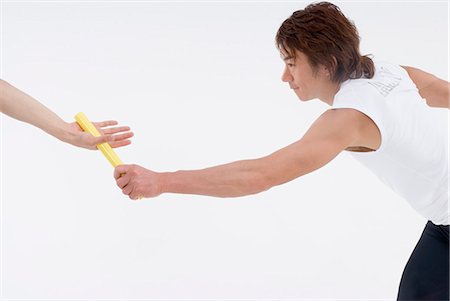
199,83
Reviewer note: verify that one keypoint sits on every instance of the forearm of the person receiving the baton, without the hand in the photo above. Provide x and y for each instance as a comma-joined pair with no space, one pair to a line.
23,107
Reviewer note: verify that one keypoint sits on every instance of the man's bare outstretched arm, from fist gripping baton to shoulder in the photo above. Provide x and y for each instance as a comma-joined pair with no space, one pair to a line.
334,131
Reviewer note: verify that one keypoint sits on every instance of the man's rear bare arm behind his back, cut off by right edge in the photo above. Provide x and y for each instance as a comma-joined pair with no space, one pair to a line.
434,90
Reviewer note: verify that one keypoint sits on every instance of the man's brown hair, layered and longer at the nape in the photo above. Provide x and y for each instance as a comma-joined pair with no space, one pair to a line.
326,37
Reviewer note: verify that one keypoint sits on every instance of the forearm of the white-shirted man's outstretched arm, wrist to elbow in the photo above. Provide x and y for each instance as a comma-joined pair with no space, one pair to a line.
235,179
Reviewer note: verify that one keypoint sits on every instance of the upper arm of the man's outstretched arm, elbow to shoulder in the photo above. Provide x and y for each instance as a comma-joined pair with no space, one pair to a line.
329,135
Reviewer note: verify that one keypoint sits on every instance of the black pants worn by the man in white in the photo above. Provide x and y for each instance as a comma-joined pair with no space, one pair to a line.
426,275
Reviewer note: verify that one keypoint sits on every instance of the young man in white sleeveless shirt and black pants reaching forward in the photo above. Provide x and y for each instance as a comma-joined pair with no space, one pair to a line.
377,114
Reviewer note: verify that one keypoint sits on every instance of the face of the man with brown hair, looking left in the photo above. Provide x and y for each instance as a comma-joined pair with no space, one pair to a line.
301,78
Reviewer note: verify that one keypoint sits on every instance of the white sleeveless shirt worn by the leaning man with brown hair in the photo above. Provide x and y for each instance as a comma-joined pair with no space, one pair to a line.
413,157
